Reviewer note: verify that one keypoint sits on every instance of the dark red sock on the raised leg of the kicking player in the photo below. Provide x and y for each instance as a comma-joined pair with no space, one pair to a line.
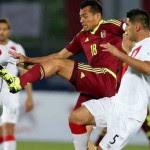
32,75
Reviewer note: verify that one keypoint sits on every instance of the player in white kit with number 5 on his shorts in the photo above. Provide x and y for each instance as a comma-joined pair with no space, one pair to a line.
124,113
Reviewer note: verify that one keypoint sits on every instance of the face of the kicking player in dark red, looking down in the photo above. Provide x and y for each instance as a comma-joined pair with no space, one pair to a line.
88,19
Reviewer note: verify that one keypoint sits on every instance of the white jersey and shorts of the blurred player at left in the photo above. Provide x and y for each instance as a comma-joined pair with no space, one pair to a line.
10,101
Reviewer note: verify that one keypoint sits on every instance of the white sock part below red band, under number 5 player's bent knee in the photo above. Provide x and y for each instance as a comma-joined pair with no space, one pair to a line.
80,141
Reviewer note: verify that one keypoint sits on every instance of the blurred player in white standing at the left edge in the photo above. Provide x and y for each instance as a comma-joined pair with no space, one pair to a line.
10,101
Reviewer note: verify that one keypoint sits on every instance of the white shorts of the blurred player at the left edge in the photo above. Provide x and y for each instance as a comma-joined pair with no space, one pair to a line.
10,107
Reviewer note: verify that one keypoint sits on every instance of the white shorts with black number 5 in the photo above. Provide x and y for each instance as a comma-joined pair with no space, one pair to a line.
119,127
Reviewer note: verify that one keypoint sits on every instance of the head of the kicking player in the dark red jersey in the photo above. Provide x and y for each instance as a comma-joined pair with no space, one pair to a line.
90,14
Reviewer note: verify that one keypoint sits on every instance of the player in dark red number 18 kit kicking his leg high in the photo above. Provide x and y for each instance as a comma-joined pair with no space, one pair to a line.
95,80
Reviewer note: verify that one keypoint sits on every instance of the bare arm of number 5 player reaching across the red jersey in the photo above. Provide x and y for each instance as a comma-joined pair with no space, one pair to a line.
141,66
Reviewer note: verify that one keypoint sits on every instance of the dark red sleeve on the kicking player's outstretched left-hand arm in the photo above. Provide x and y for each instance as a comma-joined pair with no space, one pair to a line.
75,45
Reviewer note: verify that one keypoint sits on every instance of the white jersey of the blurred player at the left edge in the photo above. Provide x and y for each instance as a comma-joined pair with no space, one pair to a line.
7,61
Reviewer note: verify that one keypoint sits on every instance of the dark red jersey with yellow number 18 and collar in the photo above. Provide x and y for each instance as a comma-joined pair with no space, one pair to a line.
89,42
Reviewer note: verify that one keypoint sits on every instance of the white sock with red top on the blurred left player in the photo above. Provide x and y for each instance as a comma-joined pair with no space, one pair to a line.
9,142
